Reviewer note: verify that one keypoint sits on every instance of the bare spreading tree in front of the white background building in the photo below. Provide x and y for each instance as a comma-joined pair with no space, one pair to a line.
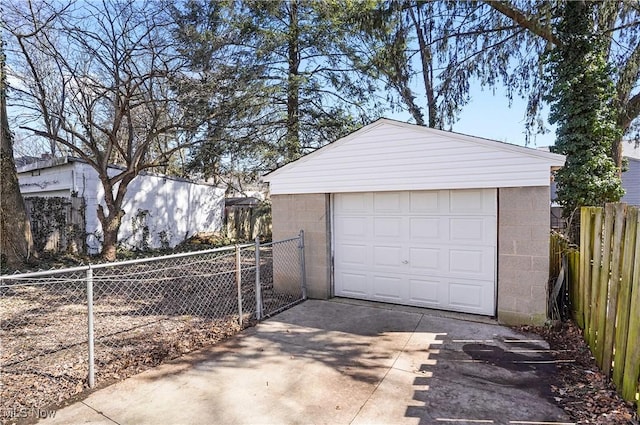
99,75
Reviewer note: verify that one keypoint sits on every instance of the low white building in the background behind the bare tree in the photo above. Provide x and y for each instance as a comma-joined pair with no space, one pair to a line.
172,209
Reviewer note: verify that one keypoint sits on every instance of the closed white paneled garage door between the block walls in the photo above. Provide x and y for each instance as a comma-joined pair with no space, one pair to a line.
432,249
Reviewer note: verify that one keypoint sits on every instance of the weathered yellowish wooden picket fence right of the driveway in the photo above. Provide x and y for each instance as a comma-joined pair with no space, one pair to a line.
605,291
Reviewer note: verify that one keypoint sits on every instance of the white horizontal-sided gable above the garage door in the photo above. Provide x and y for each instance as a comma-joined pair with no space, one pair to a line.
391,155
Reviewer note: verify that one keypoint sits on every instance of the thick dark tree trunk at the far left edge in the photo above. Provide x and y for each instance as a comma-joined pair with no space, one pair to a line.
16,243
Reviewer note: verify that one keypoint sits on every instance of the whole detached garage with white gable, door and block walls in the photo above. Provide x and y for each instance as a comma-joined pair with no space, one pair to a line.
405,214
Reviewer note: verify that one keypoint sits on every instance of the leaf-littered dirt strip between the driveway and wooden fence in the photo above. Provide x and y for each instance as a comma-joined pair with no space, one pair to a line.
581,389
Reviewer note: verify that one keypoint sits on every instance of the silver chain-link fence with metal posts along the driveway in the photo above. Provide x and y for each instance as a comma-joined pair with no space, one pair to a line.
62,331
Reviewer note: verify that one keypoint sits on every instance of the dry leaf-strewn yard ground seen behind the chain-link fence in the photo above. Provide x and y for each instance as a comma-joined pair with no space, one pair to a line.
143,316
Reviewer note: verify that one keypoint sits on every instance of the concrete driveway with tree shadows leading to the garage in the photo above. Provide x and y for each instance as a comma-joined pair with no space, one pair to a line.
341,362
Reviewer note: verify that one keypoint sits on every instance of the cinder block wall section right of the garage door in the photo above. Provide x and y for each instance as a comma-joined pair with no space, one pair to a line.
523,254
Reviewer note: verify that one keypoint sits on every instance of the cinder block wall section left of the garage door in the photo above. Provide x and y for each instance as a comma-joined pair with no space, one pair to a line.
309,212
